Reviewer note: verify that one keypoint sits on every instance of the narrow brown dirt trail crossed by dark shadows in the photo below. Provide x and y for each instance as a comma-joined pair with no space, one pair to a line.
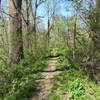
44,84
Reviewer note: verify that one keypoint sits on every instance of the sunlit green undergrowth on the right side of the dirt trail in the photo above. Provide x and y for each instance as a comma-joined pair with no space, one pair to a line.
73,84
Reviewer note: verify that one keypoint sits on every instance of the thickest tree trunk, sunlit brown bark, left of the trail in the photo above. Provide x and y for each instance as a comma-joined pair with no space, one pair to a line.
15,32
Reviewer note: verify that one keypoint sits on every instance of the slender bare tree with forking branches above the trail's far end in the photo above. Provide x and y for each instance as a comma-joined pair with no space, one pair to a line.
51,9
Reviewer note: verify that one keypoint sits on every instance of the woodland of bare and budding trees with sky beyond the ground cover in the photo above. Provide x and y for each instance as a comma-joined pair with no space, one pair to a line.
24,33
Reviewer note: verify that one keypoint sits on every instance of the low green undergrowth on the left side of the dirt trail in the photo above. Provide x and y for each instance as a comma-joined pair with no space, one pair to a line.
18,82
